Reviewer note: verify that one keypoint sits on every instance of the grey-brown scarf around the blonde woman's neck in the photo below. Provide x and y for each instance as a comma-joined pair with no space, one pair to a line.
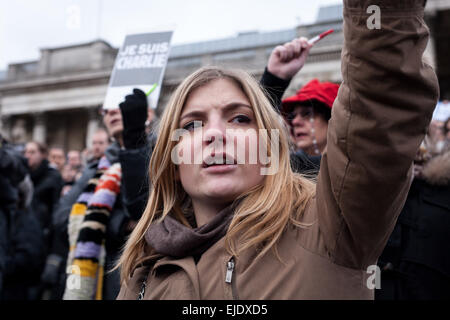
171,238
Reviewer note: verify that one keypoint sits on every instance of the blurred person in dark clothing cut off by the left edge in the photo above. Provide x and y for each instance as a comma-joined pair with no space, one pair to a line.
23,256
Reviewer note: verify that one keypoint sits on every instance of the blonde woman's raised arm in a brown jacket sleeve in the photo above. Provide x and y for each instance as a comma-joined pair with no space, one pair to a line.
379,118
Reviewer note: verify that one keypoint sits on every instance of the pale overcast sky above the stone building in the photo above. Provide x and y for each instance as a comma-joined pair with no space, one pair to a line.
27,25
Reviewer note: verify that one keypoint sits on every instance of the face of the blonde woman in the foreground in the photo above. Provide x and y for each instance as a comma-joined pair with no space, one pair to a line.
217,107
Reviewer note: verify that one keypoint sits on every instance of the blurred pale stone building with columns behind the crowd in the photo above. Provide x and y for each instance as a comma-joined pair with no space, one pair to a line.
56,99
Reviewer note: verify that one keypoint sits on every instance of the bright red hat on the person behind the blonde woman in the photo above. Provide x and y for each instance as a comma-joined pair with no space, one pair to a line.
324,92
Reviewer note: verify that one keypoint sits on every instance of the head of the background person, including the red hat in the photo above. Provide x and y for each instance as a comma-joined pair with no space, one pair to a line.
308,113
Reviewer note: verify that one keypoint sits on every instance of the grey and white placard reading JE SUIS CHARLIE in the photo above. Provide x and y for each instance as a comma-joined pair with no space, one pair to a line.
140,63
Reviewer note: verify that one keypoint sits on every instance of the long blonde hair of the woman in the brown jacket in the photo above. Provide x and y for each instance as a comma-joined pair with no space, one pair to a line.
262,213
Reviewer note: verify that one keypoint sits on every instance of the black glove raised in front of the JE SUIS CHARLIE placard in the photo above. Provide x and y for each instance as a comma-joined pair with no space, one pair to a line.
134,115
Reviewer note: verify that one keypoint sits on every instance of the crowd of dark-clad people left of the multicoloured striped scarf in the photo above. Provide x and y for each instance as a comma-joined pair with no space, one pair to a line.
49,174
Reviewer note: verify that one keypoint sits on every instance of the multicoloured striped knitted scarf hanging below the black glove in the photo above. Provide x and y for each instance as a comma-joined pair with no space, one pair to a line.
87,228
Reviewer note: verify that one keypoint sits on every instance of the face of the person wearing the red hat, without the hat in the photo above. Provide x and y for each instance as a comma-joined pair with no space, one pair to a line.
308,129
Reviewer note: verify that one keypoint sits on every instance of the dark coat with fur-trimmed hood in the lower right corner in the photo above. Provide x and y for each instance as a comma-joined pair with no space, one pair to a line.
416,261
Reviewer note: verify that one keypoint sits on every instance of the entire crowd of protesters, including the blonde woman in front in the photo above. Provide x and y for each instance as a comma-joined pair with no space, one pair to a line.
359,183
